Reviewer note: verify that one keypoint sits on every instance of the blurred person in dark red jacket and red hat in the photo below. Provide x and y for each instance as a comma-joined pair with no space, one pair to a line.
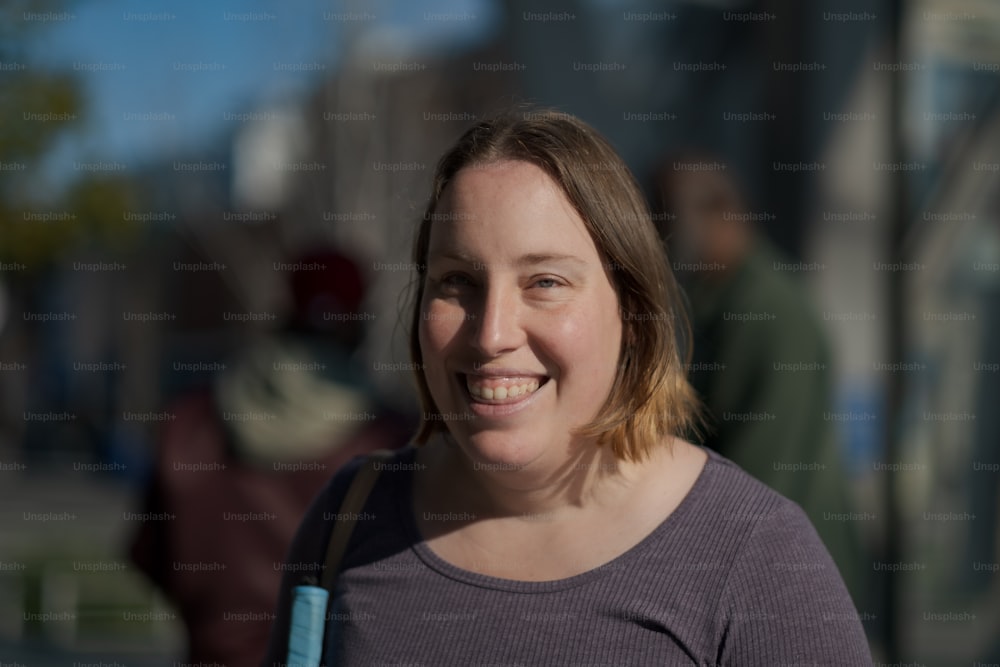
237,467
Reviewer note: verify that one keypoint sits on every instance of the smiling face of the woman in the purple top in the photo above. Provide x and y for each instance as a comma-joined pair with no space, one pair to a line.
520,328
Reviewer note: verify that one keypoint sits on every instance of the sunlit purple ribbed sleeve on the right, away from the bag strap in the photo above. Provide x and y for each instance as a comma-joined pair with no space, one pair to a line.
785,603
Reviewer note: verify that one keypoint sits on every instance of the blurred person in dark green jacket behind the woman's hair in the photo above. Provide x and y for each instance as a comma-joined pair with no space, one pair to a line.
761,360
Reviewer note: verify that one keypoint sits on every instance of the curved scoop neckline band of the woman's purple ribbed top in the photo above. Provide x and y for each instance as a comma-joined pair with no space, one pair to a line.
407,520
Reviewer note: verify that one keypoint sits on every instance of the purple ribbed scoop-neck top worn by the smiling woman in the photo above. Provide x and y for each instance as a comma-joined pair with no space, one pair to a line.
736,575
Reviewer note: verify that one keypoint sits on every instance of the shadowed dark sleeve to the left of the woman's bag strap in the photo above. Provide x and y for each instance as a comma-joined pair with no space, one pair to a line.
306,556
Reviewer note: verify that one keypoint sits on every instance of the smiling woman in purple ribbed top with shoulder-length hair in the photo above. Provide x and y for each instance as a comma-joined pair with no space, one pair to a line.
549,512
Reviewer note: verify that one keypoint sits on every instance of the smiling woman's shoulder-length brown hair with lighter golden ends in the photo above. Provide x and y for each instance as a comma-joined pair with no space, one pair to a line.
651,397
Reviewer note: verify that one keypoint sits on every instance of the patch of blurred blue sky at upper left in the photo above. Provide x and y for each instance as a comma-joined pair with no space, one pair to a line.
141,58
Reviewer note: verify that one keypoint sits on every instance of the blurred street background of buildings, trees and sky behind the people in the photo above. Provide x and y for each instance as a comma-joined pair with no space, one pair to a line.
164,165
